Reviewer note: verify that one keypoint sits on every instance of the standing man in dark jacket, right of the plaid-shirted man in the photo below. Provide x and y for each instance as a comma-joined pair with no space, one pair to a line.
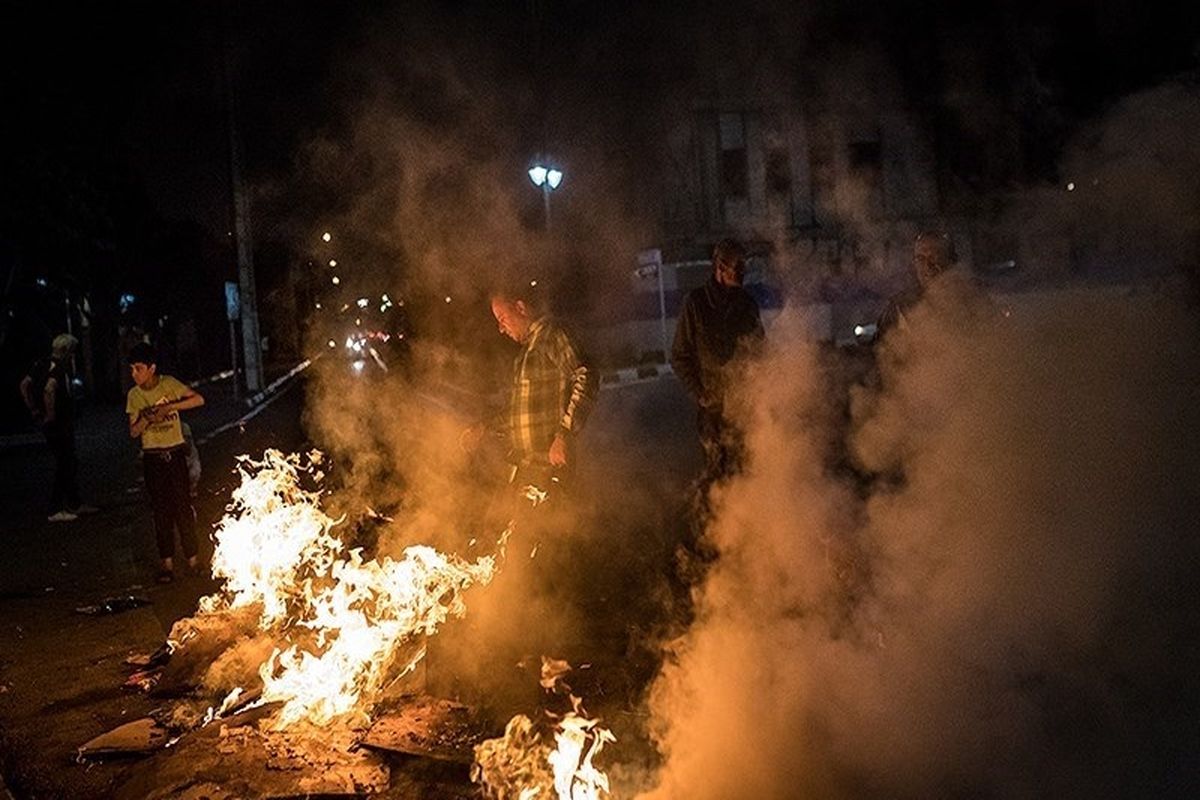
718,322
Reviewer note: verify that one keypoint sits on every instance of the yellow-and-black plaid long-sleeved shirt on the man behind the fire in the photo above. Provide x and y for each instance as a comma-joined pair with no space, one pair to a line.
554,392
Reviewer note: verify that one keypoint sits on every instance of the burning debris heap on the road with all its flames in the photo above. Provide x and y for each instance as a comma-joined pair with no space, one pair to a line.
289,661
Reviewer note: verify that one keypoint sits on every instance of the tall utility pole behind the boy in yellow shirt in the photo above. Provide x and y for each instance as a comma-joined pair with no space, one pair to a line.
251,341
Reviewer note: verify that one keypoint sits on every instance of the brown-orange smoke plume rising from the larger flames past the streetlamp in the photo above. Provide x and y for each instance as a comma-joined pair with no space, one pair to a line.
423,171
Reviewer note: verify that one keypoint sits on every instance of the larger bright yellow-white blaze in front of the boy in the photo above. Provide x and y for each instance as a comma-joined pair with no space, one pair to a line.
350,625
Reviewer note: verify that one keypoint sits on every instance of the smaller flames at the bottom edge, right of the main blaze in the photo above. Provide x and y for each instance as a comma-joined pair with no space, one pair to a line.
523,766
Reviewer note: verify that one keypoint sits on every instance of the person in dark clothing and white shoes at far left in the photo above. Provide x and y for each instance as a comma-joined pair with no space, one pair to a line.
47,395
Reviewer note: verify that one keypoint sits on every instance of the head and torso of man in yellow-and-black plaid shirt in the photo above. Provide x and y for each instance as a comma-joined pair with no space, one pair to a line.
554,389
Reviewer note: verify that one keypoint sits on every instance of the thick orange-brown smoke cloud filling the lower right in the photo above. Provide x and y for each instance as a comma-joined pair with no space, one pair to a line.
995,606
